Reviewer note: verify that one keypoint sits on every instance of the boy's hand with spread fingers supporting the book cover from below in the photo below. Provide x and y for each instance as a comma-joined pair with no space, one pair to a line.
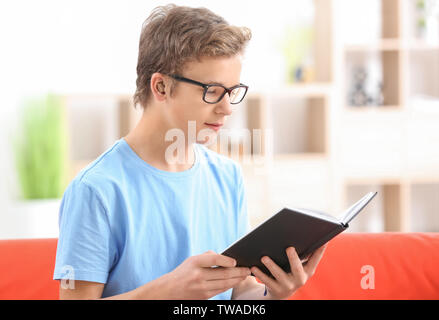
285,284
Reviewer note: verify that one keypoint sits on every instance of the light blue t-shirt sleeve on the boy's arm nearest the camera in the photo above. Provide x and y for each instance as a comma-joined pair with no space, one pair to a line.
85,248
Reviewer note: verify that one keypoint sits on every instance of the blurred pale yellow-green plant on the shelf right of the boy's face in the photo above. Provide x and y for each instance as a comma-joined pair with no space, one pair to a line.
297,48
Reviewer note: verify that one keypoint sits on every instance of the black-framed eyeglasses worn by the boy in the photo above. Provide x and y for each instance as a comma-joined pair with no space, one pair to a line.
213,93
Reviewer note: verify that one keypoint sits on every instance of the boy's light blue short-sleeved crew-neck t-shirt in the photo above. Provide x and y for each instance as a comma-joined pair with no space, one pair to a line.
124,223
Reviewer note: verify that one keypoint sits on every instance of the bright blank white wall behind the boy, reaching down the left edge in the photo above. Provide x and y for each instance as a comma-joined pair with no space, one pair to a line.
91,47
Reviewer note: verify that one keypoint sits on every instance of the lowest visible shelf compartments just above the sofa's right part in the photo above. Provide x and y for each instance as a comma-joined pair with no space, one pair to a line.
400,205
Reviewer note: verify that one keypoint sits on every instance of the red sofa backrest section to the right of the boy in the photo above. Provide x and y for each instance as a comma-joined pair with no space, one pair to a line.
377,266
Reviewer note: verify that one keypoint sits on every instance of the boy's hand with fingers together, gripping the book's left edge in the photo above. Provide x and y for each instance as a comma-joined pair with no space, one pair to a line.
204,276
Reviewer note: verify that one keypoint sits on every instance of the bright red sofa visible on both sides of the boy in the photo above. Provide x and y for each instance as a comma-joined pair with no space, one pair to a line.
355,266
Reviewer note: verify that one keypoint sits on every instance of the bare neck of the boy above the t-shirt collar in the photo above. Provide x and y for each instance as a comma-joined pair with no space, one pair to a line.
147,140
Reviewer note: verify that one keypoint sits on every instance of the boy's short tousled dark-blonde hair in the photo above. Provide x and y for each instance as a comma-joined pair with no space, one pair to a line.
173,35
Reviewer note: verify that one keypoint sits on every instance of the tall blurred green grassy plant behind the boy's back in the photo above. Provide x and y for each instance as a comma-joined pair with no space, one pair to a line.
40,147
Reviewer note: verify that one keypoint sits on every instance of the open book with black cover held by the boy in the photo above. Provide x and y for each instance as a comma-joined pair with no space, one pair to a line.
305,230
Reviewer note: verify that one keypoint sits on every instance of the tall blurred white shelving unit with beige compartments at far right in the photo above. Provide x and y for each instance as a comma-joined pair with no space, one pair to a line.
390,148
